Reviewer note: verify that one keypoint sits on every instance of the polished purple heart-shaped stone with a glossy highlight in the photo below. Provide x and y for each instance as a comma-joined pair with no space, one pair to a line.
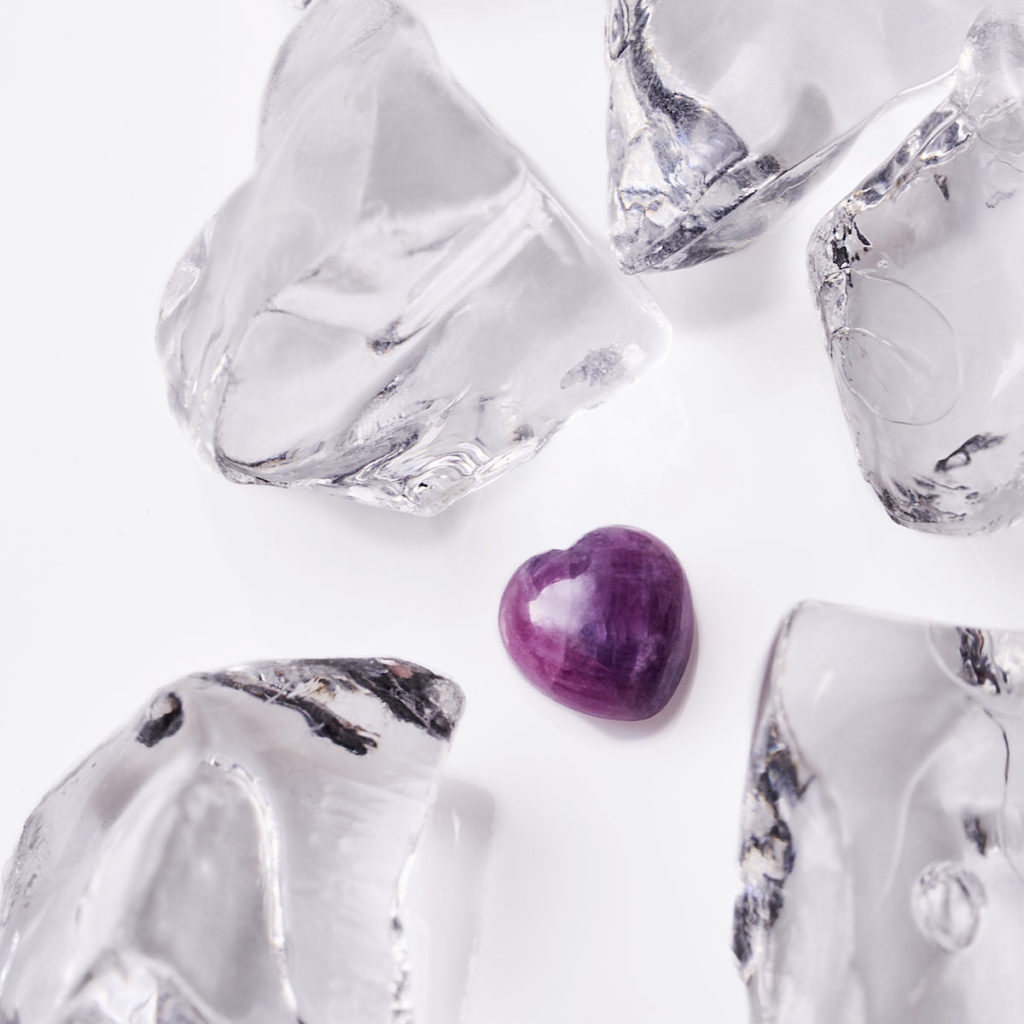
606,627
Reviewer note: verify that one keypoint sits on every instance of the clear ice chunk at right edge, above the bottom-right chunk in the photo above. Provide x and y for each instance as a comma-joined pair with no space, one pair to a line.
919,283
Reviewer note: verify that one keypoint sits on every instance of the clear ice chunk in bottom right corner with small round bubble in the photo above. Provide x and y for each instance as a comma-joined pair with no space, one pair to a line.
883,849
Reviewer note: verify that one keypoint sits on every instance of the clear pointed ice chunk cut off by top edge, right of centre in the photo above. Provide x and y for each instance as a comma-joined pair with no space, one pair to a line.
722,111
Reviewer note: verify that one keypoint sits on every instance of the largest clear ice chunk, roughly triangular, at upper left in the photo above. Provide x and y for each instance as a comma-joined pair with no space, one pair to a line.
395,306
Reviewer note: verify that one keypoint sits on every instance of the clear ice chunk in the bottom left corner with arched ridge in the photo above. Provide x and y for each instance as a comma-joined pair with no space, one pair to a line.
235,855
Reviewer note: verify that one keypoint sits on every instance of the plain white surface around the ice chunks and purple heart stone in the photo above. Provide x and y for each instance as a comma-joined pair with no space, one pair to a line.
611,849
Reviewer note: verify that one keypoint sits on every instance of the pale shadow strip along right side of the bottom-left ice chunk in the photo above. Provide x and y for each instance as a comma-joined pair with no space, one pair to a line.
444,901
